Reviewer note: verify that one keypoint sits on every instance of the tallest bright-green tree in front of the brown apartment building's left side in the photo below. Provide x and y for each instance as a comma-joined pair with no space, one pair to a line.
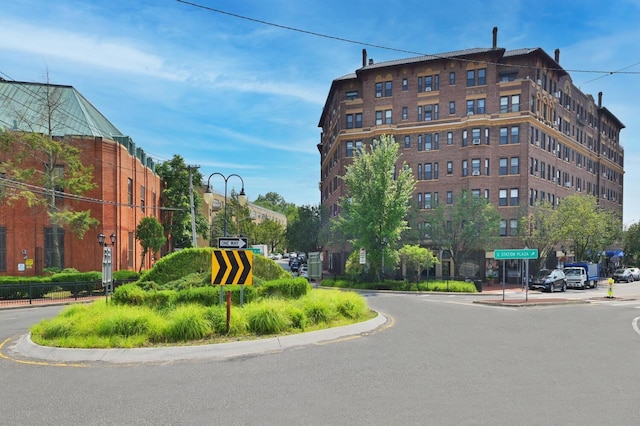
376,202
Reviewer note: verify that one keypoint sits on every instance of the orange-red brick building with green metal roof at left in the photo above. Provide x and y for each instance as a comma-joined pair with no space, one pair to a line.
128,188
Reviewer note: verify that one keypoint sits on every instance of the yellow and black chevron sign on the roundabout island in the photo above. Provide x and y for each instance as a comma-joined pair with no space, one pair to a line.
231,267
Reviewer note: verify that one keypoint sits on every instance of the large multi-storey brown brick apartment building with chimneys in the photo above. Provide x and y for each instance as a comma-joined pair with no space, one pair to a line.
508,125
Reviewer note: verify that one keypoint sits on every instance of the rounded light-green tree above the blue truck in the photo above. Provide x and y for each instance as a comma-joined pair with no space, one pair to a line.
585,226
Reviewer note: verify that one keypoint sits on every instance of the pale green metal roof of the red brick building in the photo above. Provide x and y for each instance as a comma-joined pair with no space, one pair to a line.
23,106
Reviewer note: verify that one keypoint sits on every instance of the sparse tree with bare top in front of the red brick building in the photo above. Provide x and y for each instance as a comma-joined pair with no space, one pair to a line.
43,169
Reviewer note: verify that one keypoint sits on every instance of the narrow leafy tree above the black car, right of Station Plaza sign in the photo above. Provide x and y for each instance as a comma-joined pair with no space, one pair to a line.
538,229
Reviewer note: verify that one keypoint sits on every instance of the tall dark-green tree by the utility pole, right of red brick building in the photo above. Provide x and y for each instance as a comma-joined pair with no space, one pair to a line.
176,217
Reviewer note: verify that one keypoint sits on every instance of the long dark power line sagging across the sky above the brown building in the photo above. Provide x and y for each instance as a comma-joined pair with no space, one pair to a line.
378,46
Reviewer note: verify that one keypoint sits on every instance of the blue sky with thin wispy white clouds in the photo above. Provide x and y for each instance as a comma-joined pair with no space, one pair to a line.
237,96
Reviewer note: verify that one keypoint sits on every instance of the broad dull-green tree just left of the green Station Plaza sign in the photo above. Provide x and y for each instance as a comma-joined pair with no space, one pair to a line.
470,224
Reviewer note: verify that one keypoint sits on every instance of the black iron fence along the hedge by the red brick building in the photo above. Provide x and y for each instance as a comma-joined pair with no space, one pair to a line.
38,293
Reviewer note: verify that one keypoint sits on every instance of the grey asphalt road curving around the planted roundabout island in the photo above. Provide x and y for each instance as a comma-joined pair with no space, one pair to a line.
442,360
